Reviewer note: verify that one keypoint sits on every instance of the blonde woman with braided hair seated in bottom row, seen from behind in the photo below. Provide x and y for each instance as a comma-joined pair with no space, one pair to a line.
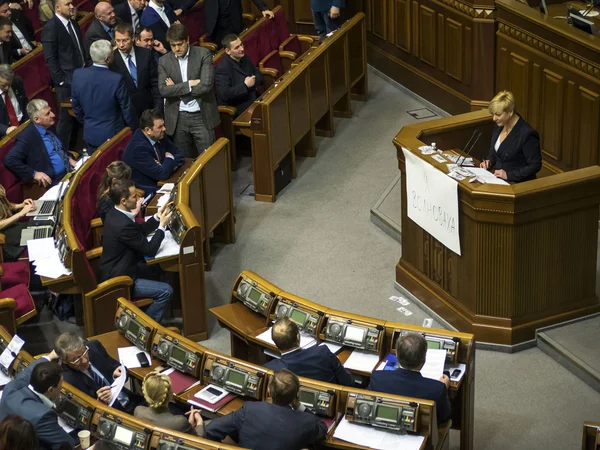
158,392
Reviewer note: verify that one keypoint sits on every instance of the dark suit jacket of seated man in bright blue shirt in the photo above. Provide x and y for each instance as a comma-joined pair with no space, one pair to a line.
29,155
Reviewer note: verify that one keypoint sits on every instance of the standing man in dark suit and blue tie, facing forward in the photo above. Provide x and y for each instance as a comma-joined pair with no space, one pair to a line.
138,68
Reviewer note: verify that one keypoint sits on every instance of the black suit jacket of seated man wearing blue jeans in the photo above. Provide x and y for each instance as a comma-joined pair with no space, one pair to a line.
124,244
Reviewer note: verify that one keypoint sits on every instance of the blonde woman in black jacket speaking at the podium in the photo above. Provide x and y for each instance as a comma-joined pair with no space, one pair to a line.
515,153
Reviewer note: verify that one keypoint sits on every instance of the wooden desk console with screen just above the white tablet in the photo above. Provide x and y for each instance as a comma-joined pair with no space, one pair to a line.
234,375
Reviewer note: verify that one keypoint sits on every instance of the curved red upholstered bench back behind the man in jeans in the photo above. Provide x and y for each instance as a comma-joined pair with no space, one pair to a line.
84,200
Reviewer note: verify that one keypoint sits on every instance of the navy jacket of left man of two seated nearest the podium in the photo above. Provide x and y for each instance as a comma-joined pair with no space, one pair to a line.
315,362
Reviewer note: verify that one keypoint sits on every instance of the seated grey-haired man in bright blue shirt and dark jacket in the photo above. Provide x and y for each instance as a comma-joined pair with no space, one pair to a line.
38,154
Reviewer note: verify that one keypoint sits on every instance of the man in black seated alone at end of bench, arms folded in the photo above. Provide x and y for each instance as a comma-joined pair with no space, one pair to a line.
236,77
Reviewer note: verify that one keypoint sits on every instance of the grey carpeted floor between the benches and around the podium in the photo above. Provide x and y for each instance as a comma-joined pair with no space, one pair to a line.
318,242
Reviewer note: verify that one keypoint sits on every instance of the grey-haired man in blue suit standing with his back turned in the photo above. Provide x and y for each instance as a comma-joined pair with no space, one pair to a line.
100,98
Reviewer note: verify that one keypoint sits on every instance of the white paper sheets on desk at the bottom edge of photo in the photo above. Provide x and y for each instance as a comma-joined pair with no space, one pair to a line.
372,437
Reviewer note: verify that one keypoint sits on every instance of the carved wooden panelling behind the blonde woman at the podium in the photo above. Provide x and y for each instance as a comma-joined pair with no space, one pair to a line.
558,94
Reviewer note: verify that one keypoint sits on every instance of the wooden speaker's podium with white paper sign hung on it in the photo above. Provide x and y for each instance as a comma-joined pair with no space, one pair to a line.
528,250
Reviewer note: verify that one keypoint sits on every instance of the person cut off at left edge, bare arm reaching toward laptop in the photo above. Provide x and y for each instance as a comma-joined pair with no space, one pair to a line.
10,227
